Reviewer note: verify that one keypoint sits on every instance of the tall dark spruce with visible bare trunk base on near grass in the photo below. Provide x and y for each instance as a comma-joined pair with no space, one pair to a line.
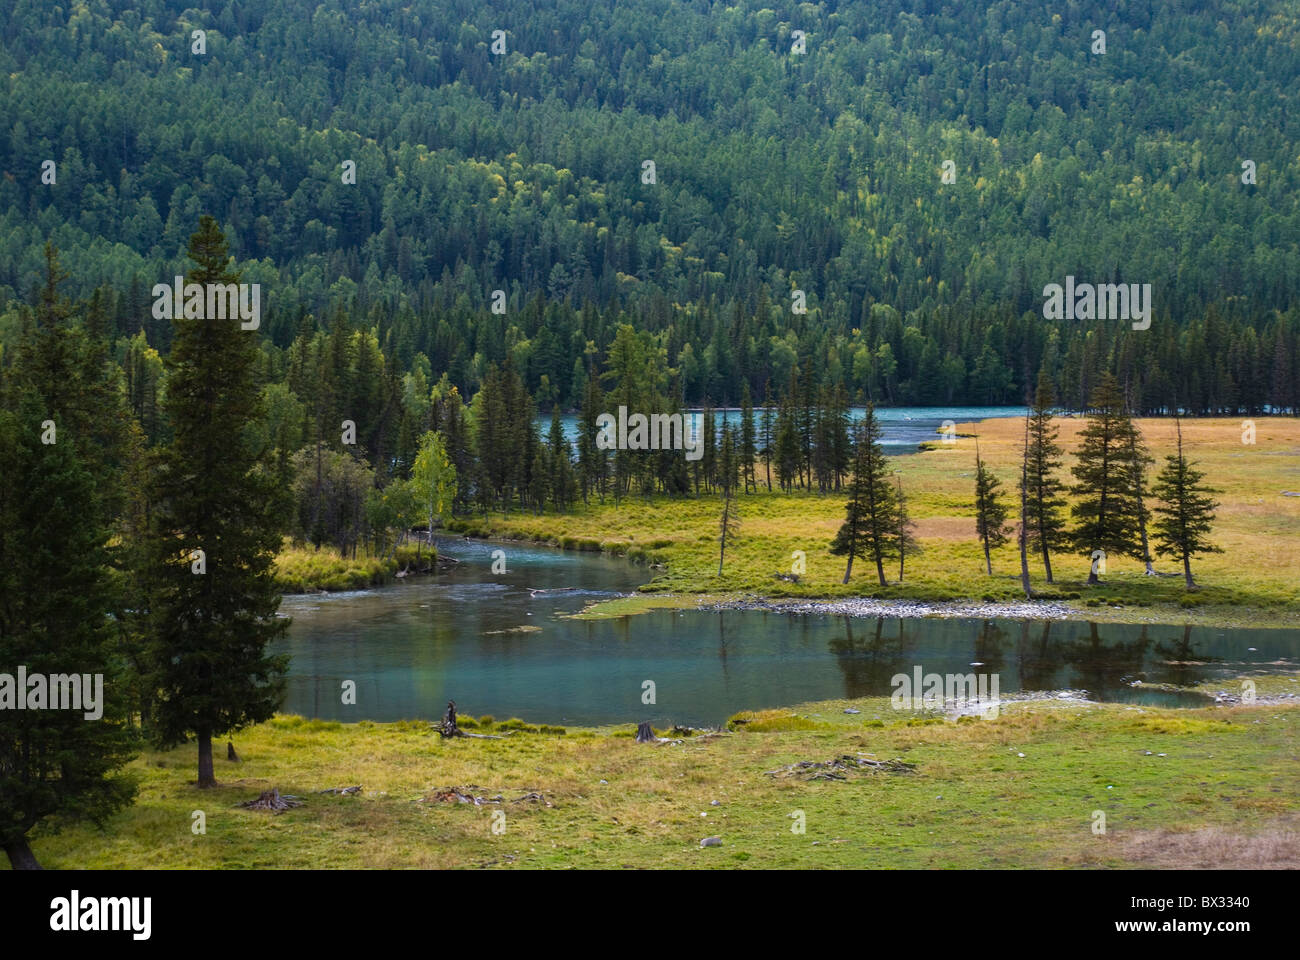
210,630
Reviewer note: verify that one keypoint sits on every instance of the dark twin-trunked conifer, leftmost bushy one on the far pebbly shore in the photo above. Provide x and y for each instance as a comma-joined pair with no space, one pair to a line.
872,517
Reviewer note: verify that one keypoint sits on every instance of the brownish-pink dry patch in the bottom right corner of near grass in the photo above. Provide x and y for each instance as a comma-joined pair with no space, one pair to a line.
1276,847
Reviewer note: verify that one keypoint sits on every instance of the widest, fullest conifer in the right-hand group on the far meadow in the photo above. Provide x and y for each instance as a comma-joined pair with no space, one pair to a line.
1106,511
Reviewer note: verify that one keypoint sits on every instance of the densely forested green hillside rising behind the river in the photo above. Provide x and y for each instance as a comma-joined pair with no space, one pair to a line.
775,171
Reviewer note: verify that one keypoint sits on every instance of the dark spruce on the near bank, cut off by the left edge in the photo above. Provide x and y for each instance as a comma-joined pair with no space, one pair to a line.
58,766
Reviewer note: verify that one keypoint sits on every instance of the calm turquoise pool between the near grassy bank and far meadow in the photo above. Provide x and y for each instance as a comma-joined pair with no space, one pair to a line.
414,646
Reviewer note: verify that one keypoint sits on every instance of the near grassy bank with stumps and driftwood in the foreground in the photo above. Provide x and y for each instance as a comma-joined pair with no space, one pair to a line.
1207,788
